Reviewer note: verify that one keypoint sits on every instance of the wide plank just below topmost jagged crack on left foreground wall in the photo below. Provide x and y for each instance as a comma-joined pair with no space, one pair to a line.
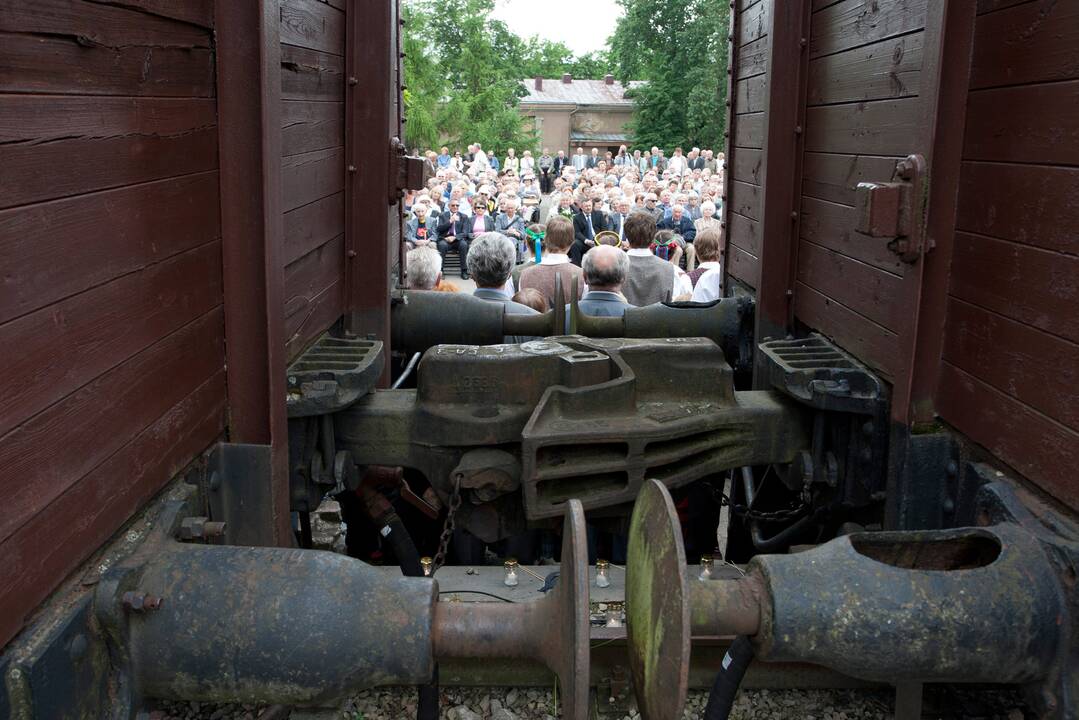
36,64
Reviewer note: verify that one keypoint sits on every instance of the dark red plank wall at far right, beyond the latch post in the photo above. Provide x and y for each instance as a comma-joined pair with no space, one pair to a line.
1010,370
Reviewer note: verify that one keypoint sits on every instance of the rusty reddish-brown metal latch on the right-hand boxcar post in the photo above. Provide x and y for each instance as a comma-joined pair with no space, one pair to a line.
897,209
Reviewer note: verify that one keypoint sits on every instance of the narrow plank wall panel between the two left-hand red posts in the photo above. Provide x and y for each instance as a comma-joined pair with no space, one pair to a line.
313,167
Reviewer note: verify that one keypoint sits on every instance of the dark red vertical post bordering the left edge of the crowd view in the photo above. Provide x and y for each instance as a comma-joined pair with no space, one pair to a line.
371,124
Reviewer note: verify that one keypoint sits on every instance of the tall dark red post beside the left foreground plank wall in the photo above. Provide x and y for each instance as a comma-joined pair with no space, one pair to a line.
249,94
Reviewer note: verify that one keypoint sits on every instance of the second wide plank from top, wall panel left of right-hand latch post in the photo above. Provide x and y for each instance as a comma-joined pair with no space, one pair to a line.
887,70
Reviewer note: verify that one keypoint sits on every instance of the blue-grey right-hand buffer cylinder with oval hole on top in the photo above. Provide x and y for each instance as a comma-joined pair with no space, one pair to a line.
937,601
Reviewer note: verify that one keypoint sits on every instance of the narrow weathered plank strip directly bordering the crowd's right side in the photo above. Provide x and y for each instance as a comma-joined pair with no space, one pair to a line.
745,175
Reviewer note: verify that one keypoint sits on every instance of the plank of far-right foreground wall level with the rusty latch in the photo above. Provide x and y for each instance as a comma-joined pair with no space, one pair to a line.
1029,205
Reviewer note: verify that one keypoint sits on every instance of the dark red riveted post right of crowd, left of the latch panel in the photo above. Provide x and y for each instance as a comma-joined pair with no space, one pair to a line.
782,166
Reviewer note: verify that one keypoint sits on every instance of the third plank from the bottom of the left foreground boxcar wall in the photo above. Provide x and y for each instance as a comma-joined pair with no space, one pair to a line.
67,345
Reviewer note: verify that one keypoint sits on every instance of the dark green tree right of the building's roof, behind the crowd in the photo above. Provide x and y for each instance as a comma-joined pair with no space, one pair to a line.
680,48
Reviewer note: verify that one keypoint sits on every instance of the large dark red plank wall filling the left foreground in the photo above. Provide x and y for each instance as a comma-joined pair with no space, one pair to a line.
111,257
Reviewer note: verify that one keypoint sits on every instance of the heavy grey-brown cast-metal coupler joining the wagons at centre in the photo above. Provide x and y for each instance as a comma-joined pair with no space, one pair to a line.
591,419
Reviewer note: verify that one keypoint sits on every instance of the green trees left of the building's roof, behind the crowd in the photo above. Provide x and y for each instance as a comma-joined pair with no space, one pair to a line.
463,71
